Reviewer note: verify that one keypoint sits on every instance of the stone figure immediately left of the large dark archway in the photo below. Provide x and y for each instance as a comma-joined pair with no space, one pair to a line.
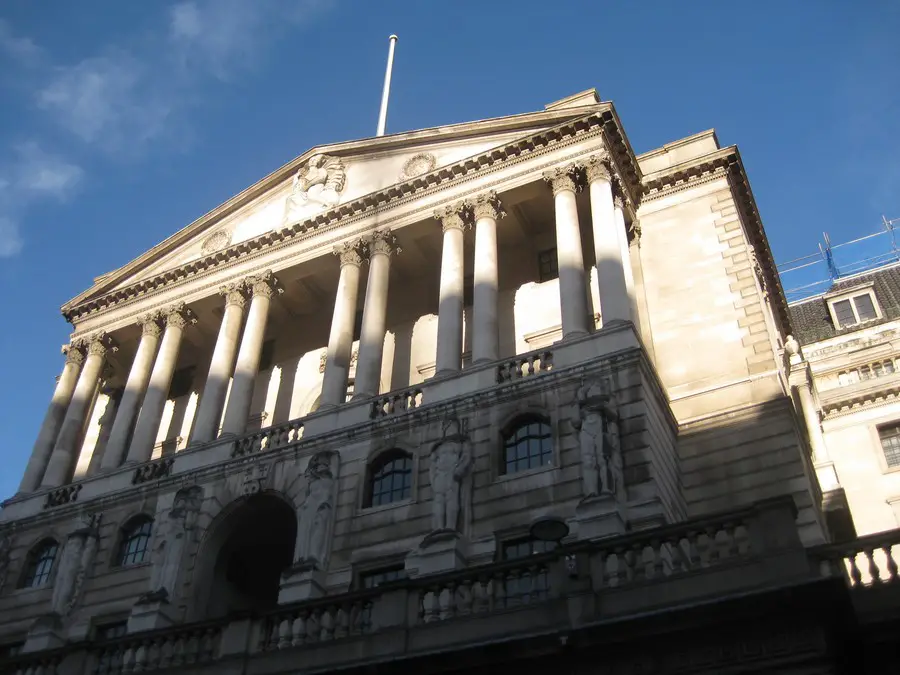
171,538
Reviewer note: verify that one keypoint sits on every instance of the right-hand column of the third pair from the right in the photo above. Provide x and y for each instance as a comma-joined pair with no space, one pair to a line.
382,245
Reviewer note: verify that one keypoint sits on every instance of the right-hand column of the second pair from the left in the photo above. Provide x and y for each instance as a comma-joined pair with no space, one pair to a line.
147,426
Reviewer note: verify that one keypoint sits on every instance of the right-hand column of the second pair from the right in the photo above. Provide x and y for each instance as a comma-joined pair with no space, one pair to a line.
486,331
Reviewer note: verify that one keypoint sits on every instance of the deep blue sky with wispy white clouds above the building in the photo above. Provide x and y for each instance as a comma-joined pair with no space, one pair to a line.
121,122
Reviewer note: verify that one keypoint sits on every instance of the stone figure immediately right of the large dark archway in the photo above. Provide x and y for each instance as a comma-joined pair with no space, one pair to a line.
316,512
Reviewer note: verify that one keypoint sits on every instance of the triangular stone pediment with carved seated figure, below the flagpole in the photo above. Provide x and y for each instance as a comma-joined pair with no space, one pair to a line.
327,176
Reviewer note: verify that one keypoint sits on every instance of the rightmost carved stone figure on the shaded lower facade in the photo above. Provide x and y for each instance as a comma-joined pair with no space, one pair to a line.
598,438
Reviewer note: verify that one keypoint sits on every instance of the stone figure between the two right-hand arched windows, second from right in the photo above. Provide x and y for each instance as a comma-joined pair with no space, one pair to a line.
451,461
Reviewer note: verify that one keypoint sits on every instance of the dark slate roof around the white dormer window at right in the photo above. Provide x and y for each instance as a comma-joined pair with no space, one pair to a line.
812,321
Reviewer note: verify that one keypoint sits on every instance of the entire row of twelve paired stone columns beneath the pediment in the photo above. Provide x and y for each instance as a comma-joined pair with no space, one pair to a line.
236,356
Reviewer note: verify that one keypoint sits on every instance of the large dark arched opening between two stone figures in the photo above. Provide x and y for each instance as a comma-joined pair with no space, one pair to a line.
241,563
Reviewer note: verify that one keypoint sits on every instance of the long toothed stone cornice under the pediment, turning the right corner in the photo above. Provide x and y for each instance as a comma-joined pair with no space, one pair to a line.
603,121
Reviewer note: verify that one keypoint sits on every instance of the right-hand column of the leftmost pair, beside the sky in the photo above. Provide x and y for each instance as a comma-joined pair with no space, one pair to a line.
62,459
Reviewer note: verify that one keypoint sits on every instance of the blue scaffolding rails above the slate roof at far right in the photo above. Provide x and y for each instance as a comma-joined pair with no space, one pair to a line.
870,247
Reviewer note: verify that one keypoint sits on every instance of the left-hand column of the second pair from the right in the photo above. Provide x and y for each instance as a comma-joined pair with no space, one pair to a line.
454,219
